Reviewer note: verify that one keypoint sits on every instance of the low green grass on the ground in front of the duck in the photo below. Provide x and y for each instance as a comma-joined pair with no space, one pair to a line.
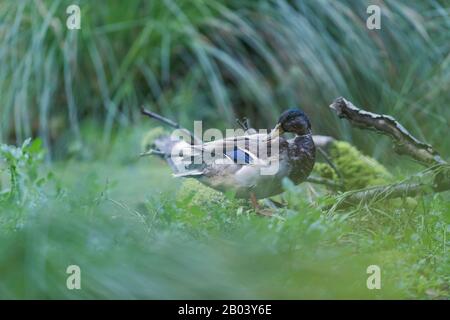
133,236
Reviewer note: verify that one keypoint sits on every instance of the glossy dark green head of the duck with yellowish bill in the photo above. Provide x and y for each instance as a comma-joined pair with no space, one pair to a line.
294,121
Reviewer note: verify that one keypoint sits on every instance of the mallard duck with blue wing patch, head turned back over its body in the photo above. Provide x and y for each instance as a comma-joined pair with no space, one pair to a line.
239,161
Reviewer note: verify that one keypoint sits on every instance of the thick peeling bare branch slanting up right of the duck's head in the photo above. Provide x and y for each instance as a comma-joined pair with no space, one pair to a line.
404,142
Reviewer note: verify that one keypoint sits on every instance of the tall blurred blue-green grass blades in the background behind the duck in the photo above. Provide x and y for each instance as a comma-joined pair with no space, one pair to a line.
214,60
